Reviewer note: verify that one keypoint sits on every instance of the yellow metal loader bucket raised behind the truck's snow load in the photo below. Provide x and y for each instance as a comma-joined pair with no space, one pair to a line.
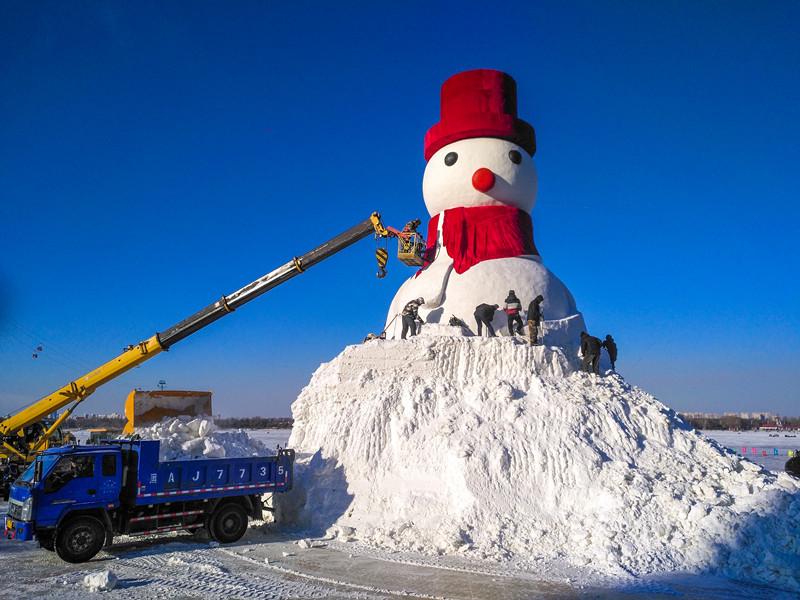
143,407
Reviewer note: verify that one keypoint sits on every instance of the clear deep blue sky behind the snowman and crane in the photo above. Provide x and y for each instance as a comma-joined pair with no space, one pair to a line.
154,156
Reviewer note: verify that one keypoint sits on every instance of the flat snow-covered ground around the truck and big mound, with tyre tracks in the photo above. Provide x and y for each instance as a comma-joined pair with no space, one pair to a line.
268,563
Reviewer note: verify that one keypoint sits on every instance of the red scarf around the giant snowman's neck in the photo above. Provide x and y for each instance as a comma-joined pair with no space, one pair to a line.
479,233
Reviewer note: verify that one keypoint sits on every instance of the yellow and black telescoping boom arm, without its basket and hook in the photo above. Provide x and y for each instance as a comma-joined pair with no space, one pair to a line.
76,391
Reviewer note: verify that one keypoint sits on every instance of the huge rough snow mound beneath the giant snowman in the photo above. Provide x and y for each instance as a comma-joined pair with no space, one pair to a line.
493,449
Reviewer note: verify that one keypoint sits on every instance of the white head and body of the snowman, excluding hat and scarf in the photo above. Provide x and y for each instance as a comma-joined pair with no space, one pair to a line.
484,172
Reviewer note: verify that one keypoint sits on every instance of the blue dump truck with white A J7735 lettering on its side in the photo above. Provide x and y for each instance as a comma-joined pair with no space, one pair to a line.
75,499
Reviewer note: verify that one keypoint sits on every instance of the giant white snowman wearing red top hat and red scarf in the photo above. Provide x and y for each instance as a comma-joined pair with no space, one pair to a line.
480,188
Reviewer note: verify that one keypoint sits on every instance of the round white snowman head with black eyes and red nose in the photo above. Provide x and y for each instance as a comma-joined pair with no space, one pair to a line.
479,172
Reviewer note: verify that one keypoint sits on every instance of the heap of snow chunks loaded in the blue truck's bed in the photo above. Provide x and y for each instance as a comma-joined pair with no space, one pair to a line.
185,438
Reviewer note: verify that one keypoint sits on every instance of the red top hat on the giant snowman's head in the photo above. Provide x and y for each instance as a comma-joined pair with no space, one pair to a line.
479,103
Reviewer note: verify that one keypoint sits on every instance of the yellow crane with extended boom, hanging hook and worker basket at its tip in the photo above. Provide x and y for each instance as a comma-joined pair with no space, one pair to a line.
36,427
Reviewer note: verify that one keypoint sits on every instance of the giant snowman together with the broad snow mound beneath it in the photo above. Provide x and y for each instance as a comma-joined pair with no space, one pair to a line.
451,444
